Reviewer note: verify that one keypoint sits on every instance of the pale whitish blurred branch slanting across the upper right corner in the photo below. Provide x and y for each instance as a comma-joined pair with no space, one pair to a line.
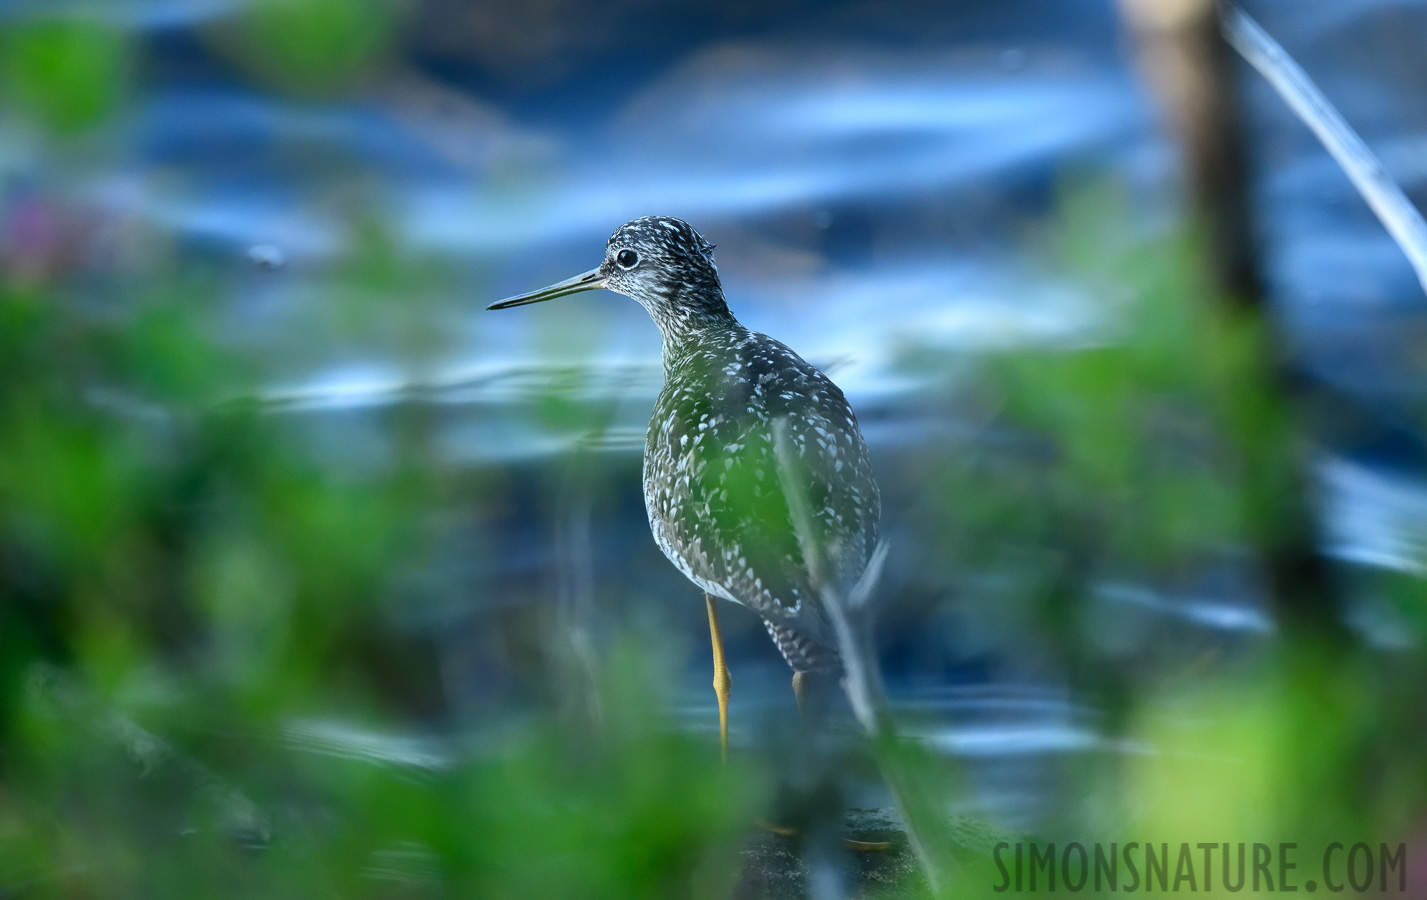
1368,173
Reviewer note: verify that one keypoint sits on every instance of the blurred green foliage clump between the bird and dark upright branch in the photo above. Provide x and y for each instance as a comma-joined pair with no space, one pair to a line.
1121,460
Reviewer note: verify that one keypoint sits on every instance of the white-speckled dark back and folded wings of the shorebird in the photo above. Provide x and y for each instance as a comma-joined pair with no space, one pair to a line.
723,516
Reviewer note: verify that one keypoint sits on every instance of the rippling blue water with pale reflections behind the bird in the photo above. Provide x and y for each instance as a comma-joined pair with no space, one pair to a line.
871,175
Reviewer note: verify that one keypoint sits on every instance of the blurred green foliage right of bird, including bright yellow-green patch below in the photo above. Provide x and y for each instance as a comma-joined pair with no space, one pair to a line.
1132,461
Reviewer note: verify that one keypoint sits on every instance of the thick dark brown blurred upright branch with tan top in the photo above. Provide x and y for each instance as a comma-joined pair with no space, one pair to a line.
1185,58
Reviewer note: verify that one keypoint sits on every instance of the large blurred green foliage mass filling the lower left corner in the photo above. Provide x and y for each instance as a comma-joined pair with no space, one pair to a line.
185,581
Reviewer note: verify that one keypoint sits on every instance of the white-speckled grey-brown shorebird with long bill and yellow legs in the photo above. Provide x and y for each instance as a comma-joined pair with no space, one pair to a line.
757,479
